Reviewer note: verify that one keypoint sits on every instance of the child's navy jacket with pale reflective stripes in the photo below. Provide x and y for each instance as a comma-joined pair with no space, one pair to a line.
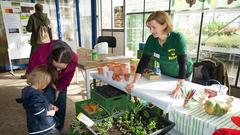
36,106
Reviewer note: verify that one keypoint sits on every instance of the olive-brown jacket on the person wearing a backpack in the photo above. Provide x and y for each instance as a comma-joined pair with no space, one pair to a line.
35,21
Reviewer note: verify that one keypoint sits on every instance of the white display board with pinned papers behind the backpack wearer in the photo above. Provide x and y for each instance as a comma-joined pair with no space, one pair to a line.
15,16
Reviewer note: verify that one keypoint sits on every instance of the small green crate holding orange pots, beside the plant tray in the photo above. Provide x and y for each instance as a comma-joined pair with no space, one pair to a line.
99,114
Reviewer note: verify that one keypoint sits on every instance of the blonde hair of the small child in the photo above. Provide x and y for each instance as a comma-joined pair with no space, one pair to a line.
39,77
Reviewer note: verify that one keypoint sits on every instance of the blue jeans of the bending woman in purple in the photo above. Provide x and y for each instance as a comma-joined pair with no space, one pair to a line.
60,102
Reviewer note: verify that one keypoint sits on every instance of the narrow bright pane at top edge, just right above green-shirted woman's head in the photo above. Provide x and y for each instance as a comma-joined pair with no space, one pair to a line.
183,5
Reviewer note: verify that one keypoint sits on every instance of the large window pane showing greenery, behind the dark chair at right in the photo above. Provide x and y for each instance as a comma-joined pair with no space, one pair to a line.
223,44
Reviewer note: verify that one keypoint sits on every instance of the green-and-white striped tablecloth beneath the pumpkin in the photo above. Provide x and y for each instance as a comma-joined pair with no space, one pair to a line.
194,121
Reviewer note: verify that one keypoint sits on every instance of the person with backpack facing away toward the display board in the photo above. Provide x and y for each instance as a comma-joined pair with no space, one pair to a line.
35,21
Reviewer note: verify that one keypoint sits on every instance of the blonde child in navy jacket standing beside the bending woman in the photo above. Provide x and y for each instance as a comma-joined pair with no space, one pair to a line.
40,113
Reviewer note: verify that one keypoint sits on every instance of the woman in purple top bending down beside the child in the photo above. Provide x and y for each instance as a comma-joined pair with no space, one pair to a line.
61,62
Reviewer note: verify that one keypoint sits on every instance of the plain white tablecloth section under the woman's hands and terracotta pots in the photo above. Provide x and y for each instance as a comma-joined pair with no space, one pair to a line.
156,92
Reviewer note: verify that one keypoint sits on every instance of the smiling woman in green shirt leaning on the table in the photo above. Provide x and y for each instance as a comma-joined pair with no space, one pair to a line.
168,48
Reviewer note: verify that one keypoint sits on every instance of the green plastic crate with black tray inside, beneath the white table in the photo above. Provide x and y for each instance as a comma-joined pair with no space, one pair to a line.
114,100
